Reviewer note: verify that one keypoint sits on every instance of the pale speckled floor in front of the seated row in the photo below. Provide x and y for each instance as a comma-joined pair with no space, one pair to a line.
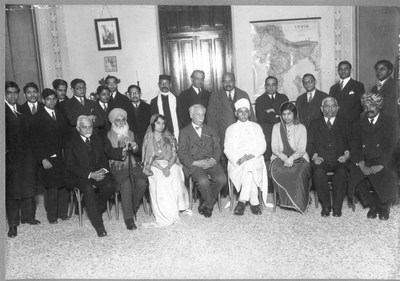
281,244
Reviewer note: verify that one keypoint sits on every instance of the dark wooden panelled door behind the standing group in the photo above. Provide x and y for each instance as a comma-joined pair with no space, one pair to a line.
196,38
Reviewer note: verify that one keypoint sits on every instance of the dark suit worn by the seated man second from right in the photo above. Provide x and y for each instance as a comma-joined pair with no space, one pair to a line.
329,144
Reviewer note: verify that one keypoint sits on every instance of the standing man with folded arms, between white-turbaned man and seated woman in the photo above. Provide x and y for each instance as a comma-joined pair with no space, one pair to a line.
268,110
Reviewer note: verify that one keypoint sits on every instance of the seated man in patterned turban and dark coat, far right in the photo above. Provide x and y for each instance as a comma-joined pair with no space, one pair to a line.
371,146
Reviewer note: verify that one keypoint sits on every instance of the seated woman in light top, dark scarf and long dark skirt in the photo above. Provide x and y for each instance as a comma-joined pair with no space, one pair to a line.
290,168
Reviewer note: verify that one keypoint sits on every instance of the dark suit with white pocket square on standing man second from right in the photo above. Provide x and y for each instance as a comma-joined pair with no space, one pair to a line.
349,99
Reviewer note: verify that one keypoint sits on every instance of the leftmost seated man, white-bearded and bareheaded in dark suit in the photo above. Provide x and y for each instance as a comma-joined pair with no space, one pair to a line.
88,166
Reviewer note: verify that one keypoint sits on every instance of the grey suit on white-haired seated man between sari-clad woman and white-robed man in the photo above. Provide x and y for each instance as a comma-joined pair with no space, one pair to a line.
191,148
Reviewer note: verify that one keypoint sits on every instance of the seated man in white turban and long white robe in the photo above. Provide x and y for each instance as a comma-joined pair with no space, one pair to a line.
244,147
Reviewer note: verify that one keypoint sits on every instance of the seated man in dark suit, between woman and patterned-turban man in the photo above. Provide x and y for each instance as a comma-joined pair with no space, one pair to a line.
328,143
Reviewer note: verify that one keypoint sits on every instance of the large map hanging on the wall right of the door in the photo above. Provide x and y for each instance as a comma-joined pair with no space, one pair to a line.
286,49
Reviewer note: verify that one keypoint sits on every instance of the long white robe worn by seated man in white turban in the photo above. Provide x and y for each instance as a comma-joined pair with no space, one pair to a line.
246,138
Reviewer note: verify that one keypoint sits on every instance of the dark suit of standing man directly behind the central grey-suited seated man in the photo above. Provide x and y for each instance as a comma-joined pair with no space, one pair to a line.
188,98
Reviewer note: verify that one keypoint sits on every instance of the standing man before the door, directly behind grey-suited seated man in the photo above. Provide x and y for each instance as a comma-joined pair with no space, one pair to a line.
196,94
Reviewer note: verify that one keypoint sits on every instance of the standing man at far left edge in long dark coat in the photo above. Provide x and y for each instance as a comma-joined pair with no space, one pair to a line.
20,177
